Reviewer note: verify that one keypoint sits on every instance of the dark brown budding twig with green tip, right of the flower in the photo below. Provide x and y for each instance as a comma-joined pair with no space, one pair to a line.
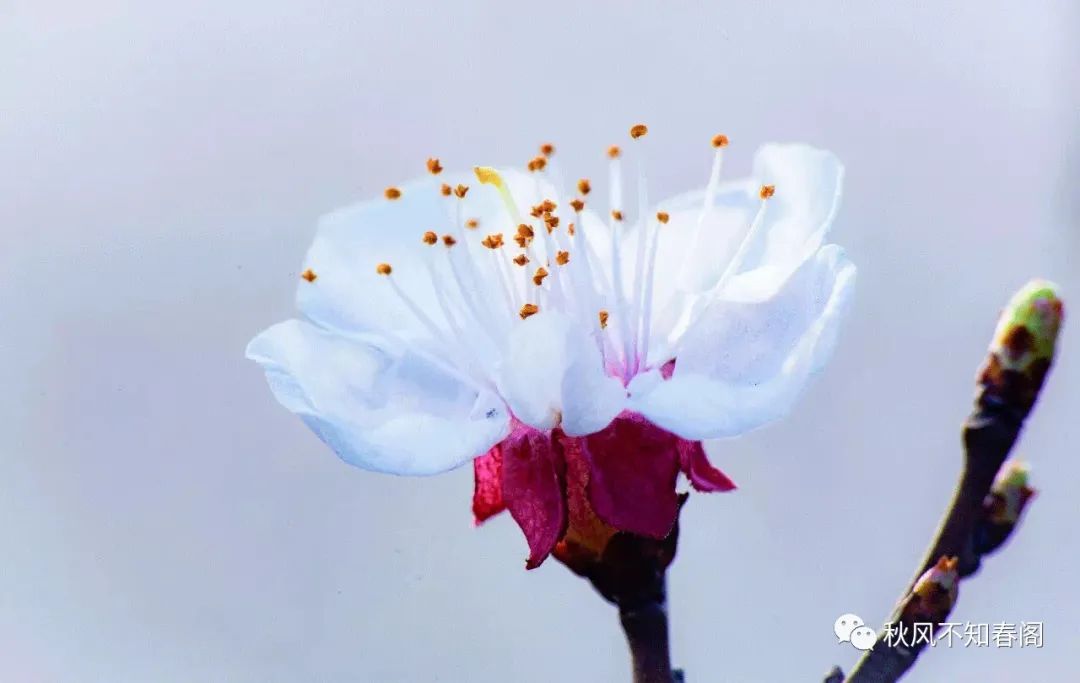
988,501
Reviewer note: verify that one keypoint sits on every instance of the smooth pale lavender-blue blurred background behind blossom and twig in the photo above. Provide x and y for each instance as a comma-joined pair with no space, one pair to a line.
163,167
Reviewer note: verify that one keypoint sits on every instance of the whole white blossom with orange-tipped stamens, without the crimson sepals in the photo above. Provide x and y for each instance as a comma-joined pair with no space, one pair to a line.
437,323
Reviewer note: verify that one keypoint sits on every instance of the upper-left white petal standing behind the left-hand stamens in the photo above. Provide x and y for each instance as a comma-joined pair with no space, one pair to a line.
348,294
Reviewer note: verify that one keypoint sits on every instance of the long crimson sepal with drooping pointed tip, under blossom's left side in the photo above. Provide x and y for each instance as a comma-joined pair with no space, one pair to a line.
534,481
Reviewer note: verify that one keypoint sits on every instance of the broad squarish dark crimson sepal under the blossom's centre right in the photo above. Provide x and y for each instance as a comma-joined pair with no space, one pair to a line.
633,467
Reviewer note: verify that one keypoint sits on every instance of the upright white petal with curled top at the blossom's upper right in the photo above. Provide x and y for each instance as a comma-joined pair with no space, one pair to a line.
808,188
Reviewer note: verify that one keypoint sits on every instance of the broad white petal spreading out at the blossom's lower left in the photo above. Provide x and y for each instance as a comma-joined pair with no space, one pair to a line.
390,414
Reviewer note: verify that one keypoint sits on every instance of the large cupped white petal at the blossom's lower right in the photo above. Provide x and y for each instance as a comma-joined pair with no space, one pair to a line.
742,365
